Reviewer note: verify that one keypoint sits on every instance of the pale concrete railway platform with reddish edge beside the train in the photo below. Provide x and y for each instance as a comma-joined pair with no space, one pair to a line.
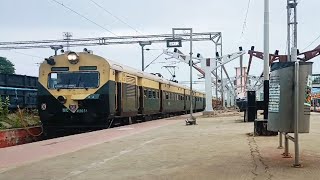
219,147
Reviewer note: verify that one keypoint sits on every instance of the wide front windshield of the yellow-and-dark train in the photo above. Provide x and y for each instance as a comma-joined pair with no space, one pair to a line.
73,80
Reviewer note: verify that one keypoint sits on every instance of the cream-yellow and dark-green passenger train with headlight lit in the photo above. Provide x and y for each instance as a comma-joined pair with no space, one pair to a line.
83,90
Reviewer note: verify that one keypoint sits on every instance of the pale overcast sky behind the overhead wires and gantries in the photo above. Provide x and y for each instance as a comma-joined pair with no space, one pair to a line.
45,19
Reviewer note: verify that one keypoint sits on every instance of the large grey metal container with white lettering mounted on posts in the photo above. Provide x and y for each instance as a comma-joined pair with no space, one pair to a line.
282,97
